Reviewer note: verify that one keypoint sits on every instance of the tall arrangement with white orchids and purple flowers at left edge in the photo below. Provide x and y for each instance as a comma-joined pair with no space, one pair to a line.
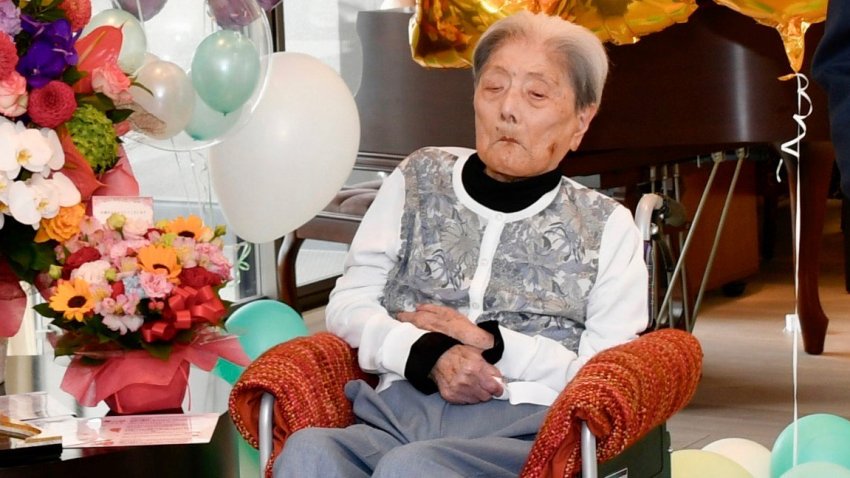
64,104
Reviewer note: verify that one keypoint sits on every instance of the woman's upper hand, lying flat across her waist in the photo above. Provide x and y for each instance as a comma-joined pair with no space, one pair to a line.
439,318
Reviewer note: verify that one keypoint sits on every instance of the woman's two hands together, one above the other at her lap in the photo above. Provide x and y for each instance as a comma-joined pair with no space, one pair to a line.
461,374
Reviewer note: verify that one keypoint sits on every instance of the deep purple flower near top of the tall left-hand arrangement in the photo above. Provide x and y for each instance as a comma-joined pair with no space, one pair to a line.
50,52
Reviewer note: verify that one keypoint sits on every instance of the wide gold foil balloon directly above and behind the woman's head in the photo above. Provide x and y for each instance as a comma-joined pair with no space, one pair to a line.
443,33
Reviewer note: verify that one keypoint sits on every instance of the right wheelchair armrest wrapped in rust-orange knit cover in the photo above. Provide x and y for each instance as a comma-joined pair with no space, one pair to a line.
621,393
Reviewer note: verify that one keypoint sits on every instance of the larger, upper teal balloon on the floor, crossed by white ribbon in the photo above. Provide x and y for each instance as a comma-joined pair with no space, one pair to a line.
820,438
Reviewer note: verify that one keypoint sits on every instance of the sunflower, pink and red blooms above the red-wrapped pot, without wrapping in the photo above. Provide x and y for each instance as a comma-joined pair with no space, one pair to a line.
126,285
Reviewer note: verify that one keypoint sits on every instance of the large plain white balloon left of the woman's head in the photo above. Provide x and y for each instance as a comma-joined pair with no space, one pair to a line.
293,155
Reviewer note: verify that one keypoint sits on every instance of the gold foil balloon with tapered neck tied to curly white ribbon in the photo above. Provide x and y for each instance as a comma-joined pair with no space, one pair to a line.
790,17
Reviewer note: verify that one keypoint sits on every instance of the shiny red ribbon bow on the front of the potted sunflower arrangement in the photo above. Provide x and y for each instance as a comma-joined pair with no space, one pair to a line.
186,306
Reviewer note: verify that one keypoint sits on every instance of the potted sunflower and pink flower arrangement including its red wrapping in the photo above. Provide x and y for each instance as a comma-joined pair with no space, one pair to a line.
137,303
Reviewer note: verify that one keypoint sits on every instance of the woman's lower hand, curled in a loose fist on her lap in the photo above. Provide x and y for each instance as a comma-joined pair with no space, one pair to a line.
463,376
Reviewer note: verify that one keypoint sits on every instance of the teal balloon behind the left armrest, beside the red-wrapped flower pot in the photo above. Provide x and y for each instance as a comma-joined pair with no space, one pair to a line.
260,325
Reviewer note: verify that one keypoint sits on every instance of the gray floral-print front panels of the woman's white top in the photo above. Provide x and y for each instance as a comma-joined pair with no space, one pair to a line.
543,269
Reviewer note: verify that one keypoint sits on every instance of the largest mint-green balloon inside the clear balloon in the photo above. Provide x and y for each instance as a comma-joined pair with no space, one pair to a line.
225,70
